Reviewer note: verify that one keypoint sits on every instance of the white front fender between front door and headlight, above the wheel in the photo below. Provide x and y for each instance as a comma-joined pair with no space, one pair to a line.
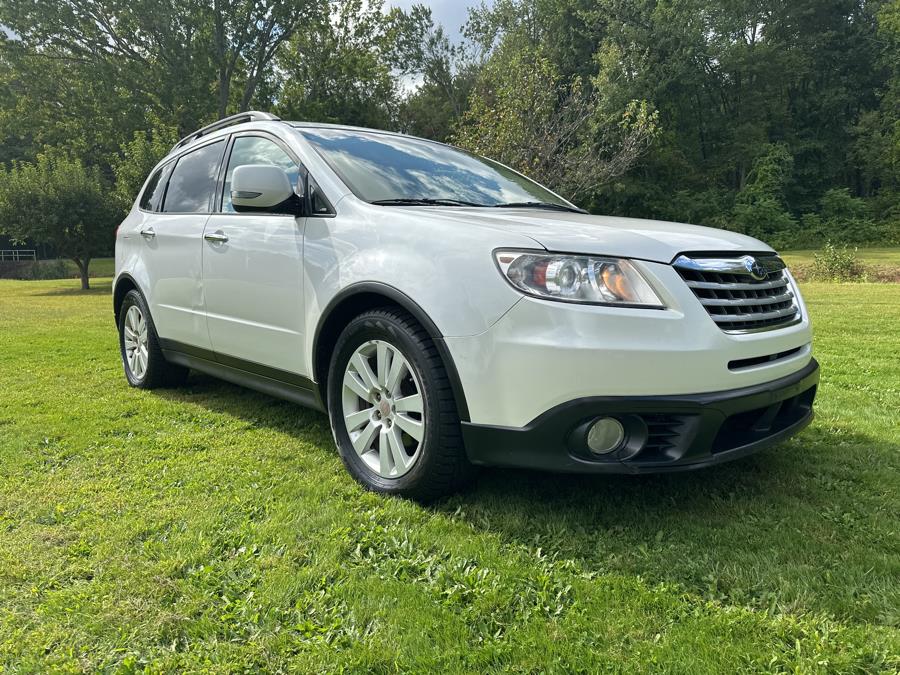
446,270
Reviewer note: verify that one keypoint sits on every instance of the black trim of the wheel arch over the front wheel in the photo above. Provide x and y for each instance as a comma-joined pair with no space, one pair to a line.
360,297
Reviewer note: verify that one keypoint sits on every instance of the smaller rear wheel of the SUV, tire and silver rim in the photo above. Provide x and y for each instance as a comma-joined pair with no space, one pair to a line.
143,360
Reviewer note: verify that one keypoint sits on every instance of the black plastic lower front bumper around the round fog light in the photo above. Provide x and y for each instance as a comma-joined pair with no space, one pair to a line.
665,433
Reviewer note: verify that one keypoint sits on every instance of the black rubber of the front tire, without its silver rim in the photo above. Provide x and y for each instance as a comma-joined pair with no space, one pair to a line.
382,326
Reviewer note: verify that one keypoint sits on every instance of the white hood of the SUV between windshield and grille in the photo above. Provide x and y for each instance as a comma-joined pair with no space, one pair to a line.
653,240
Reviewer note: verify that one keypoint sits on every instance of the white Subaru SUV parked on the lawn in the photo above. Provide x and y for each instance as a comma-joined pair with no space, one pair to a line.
447,312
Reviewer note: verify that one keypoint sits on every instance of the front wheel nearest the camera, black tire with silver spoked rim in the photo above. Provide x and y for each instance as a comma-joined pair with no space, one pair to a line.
377,441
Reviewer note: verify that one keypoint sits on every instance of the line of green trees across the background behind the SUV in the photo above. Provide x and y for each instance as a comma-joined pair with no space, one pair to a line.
781,120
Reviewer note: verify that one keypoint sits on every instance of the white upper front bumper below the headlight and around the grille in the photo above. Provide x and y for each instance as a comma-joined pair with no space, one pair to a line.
542,353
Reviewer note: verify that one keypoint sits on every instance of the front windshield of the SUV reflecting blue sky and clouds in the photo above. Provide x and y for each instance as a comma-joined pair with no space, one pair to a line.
384,168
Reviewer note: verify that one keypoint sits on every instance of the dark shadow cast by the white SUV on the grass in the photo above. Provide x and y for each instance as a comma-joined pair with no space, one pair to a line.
801,527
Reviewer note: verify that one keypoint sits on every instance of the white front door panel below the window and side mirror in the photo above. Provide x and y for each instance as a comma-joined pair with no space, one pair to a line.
253,288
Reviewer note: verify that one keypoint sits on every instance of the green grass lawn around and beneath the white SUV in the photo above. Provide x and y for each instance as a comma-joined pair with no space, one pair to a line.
212,528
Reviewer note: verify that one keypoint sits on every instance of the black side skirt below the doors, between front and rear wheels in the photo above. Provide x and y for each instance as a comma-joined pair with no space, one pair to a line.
271,381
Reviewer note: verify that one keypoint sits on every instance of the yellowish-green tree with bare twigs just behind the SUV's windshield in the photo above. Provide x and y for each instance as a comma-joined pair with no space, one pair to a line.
556,129
